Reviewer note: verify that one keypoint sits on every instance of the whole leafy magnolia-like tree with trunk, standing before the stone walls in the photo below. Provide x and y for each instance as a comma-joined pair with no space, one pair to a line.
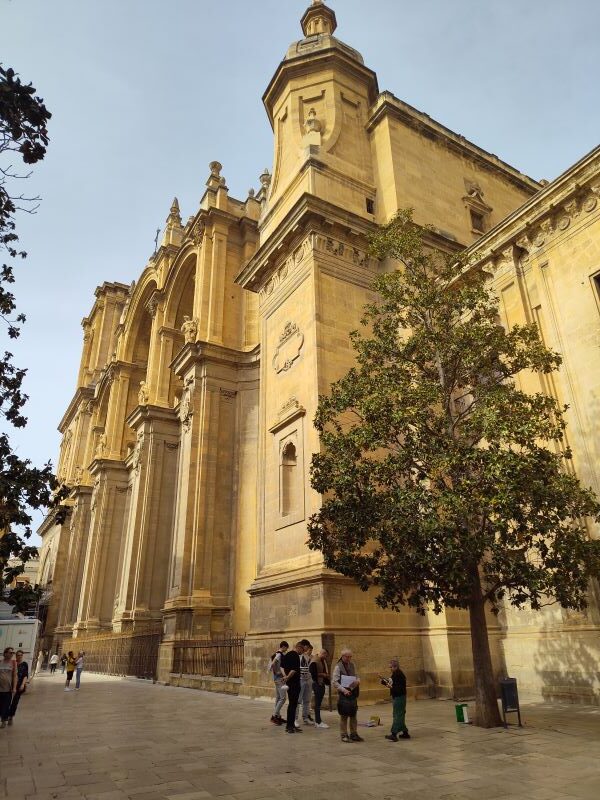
444,483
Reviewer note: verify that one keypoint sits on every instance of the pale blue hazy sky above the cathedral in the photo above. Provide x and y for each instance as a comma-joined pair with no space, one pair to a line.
145,93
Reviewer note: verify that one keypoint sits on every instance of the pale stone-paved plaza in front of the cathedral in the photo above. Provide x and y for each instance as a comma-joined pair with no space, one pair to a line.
117,739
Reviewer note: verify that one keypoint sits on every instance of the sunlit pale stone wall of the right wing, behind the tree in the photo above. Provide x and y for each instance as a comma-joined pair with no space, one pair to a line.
544,265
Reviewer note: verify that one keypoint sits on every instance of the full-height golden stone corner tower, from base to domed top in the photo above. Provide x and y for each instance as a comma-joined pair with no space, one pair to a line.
312,273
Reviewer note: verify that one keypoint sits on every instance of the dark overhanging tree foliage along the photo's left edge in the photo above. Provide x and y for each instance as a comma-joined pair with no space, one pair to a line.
23,135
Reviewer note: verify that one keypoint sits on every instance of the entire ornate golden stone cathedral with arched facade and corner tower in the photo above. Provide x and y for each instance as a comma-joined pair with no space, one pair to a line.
188,440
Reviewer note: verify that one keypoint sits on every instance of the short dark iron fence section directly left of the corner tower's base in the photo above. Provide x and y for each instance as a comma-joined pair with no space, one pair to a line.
221,658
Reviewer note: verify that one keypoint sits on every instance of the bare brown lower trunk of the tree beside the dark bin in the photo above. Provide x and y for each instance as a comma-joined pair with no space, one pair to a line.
487,714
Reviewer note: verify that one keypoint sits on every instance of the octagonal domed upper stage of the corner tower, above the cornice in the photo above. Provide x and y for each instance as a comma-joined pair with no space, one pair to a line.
318,103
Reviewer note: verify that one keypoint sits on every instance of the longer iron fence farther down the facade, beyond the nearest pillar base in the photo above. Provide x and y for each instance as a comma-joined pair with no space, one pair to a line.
134,654
